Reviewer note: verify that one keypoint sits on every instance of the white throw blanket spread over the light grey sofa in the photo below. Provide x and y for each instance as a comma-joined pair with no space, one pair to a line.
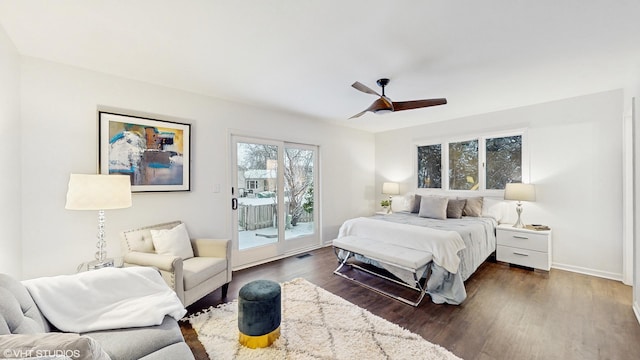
108,298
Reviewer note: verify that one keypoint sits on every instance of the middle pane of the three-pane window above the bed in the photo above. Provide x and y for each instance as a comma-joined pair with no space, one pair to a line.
463,165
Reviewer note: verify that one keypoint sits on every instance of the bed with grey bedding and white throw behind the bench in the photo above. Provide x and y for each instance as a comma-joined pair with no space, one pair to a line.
472,240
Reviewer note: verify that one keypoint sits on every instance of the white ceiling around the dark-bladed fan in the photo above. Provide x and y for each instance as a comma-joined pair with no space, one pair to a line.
301,56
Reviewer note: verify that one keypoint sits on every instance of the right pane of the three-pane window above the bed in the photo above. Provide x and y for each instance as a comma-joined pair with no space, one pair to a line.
504,161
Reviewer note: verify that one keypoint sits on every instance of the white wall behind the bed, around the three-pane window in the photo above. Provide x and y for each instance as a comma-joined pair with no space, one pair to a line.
575,161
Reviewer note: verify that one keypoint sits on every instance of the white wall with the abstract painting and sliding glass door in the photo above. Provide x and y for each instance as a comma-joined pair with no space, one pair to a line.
59,132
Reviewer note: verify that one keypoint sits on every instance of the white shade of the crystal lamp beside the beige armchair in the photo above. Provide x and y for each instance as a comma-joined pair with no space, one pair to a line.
98,192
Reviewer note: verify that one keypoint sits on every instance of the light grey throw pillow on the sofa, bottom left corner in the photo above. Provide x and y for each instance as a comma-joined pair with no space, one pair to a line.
51,345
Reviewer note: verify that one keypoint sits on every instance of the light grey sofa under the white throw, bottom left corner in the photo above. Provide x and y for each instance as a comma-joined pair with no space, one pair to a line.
25,331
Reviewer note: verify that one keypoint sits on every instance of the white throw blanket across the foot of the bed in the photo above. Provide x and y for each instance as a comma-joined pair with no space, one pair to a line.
444,245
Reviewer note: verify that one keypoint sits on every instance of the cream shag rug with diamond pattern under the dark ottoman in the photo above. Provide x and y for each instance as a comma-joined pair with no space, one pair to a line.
315,325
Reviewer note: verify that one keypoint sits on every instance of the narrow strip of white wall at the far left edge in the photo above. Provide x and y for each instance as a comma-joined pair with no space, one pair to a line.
10,244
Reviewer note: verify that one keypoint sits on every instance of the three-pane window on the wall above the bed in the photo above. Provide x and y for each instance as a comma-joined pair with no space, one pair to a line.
482,163
